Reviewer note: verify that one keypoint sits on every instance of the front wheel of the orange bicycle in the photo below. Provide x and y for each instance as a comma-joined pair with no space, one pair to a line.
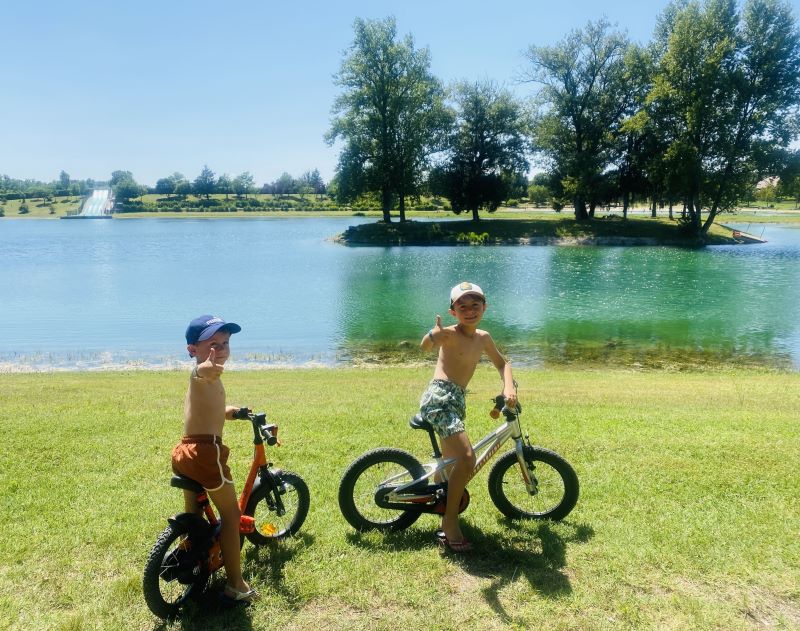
270,526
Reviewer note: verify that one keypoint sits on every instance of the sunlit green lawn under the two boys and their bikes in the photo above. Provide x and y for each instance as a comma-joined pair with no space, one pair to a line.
688,516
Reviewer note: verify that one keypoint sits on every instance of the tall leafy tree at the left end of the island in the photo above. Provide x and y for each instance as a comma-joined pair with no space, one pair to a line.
390,116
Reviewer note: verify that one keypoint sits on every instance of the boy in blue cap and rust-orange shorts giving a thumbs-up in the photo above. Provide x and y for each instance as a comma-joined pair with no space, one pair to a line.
200,455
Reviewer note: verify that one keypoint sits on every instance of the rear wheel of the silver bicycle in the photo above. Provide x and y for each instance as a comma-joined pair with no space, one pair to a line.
377,471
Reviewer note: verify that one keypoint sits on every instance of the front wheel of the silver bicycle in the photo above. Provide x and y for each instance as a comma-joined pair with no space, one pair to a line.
554,478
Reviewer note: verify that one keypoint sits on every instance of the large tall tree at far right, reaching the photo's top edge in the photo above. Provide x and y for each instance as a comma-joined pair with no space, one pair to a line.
725,99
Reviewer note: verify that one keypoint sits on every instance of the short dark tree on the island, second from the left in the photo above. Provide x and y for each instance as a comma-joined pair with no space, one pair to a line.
487,143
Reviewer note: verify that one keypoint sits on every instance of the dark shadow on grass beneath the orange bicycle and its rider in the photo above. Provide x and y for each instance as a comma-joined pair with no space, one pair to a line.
264,572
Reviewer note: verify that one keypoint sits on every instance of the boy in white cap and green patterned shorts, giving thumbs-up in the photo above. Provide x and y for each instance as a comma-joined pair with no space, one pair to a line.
443,404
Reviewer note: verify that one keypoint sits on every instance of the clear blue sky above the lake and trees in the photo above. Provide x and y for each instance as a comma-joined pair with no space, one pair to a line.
158,87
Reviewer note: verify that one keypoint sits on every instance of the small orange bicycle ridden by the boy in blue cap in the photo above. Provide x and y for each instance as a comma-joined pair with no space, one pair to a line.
274,505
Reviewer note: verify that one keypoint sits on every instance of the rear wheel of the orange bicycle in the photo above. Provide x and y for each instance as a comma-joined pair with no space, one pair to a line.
168,580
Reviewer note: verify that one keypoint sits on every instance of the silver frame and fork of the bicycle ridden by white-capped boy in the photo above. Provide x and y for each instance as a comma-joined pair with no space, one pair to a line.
487,447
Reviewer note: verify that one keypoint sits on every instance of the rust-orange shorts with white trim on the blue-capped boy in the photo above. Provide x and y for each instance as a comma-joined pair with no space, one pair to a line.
204,459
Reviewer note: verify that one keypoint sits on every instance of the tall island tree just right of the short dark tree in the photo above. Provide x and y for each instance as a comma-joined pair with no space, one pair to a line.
583,99
